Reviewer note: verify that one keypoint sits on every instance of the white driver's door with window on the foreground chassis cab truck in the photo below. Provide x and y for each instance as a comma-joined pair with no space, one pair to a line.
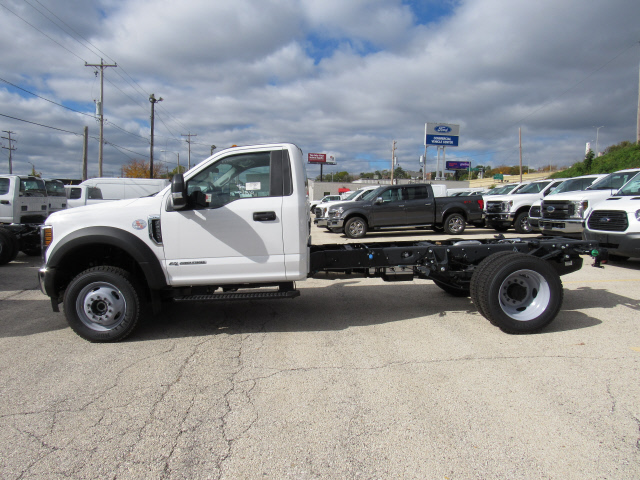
232,229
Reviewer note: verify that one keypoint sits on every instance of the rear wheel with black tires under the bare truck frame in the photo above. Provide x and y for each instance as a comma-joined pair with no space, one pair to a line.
519,293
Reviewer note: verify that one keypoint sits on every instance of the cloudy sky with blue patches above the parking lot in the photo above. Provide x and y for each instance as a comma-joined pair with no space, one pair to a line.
342,77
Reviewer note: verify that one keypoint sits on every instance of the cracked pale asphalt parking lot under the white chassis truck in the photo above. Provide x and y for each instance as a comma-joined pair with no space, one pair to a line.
356,378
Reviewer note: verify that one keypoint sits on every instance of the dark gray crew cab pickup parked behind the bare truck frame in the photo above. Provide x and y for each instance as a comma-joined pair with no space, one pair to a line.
399,206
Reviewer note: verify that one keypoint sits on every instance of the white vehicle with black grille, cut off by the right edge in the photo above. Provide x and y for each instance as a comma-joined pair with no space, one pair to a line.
615,222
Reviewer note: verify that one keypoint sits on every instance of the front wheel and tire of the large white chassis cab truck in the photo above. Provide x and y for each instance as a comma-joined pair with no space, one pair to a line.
102,304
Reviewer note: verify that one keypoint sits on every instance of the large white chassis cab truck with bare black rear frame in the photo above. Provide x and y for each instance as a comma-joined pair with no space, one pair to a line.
237,227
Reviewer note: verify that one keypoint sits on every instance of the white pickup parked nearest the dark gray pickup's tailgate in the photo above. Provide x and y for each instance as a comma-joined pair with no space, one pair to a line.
505,211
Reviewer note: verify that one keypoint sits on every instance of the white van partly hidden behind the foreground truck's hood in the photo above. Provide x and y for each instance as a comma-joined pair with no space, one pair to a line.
102,189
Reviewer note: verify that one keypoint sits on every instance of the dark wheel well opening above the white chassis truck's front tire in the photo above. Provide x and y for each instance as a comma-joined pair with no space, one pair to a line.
93,255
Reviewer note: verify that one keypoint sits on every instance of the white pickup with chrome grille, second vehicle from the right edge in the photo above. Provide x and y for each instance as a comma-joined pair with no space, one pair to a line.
564,214
